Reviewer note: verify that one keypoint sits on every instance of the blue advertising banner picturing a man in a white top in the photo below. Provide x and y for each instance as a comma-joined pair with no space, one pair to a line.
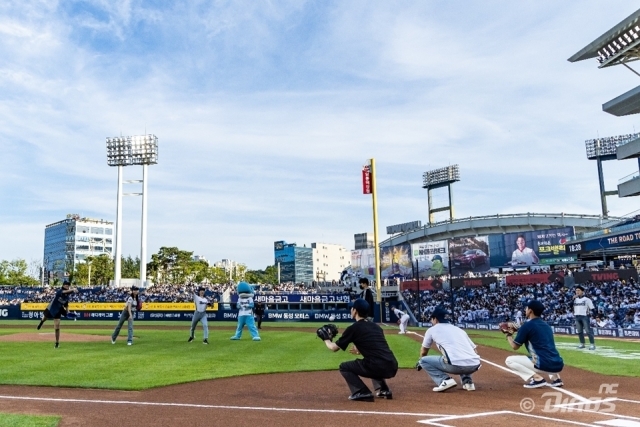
528,248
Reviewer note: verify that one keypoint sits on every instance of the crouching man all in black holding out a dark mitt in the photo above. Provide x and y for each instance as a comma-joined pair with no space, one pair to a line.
378,362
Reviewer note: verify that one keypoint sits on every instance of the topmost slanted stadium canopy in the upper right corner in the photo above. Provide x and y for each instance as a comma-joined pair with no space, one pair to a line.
619,45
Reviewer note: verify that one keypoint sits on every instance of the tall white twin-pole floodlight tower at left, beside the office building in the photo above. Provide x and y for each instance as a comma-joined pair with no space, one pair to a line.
128,151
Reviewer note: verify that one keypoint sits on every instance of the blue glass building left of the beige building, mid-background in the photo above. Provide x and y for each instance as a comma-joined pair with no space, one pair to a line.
296,263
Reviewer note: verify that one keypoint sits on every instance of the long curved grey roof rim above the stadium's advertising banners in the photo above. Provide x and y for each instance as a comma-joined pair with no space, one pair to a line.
500,223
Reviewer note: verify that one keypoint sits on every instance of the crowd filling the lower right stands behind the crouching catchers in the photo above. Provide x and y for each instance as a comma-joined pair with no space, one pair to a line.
617,303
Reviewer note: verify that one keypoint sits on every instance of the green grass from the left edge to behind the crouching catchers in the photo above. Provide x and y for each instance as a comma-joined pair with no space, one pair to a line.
163,357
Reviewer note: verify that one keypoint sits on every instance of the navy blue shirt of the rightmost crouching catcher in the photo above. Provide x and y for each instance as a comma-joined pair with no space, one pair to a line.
536,335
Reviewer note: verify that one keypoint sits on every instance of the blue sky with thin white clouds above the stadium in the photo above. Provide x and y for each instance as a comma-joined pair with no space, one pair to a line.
265,113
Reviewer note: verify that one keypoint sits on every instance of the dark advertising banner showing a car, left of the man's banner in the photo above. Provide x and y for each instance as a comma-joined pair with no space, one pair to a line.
469,254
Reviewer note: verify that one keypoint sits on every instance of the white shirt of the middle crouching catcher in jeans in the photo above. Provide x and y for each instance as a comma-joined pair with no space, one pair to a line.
454,344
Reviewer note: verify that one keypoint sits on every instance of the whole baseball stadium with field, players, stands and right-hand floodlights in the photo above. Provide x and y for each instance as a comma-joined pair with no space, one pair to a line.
185,357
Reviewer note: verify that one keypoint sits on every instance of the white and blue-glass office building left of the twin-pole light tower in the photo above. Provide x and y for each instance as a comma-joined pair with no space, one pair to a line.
72,240
